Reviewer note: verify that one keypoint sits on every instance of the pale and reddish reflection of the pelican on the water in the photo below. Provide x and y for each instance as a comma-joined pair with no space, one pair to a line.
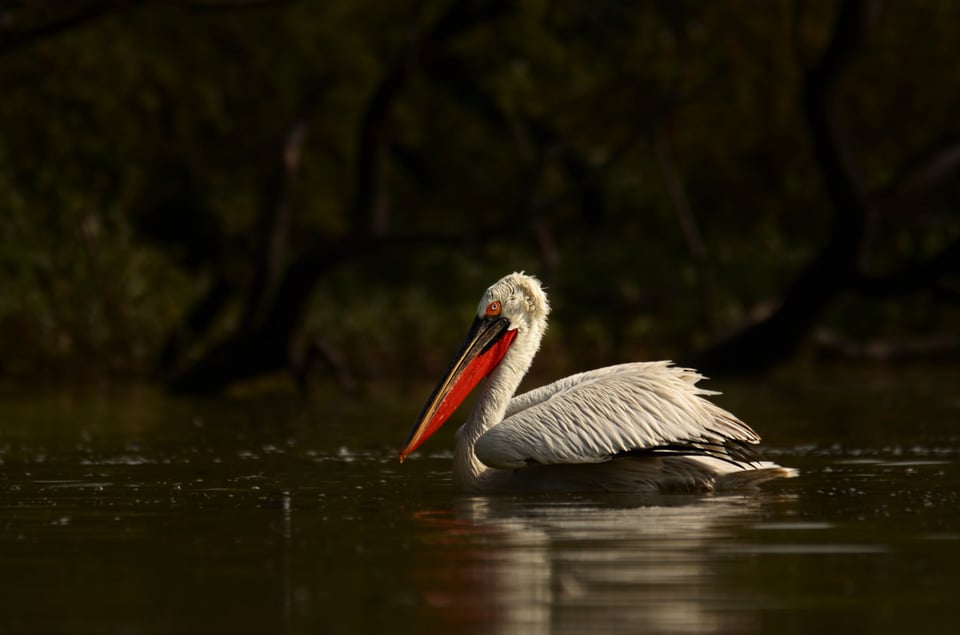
619,564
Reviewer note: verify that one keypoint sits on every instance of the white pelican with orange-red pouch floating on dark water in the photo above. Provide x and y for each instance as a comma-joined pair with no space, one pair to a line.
635,427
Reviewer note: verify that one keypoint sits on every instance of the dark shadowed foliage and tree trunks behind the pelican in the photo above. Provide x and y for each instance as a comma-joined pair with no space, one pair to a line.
209,191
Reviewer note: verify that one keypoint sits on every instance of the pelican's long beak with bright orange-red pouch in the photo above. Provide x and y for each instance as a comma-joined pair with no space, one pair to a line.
484,347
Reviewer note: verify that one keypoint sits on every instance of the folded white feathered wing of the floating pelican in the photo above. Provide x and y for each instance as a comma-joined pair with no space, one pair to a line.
651,407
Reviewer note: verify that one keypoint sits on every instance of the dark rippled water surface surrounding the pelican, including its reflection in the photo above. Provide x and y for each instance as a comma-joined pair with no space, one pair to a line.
127,512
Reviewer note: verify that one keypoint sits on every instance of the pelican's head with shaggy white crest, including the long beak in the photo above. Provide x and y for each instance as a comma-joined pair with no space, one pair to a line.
514,306
